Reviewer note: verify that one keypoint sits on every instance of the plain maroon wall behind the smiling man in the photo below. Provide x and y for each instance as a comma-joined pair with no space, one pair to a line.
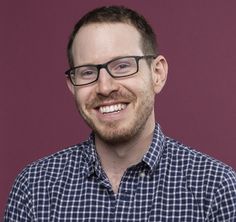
37,113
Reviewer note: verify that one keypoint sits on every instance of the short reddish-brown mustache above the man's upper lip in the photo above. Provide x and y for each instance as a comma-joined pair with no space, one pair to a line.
114,96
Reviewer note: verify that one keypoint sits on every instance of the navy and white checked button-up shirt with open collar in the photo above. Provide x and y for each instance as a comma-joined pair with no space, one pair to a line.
171,183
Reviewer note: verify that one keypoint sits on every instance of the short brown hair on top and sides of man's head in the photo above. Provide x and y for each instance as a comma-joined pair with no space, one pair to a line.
114,14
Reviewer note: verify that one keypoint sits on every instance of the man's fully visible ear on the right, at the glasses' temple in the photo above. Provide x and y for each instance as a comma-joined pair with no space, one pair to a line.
159,73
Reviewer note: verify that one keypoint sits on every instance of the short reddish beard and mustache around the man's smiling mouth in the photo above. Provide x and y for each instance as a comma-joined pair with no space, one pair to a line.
110,131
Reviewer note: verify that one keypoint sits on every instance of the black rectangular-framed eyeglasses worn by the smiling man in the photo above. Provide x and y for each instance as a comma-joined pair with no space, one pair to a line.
117,68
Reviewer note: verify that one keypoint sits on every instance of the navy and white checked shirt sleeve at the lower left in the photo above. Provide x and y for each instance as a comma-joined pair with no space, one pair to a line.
19,206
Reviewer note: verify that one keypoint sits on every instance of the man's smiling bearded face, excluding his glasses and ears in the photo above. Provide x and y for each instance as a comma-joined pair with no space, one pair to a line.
116,109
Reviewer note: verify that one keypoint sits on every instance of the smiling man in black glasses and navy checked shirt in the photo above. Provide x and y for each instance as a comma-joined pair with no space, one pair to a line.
127,170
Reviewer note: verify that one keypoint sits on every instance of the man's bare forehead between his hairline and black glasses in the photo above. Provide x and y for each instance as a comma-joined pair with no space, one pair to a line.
106,40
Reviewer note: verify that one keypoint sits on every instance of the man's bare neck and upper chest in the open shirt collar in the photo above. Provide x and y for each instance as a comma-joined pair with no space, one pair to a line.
116,158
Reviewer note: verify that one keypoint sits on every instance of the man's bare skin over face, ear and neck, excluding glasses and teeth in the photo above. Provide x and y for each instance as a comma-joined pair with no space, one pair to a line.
121,137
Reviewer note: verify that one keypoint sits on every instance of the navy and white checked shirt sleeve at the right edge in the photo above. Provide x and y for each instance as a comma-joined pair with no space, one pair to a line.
223,206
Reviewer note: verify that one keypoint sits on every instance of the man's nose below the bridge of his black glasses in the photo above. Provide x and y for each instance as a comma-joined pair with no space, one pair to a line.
106,84
